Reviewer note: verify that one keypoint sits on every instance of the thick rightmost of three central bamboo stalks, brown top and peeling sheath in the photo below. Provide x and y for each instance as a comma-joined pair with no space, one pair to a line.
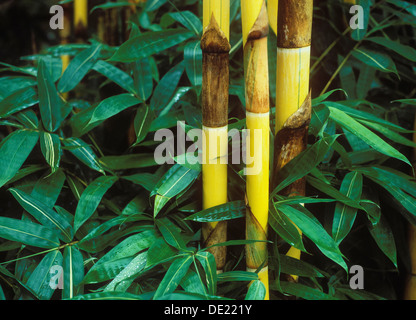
293,99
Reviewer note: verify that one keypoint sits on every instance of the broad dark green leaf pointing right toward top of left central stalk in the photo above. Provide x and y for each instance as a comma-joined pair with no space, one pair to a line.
149,43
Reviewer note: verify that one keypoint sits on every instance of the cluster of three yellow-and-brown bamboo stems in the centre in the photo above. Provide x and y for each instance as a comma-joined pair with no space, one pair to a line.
292,23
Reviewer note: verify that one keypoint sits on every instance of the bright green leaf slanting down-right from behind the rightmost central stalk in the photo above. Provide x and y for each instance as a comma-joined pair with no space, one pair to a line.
314,231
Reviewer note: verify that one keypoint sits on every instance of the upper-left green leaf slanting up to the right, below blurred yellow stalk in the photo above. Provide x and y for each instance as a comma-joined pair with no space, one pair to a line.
78,68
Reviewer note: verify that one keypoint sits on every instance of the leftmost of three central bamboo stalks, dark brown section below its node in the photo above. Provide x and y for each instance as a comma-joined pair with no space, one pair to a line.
215,47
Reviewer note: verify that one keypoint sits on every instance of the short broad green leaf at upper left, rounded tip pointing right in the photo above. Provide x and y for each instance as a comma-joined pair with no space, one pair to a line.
112,106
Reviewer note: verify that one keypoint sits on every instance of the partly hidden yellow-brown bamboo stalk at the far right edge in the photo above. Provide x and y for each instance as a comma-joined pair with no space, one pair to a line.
410,285
